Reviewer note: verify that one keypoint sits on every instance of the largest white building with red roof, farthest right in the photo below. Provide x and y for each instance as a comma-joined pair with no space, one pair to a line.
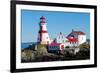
76,37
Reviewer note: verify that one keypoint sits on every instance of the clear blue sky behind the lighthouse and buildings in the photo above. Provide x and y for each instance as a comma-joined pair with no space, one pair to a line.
56,22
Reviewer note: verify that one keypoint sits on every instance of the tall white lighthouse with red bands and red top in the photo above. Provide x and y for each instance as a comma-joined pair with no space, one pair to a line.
43,33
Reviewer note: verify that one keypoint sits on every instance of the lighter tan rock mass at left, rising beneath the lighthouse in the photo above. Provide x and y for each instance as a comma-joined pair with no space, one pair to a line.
31,54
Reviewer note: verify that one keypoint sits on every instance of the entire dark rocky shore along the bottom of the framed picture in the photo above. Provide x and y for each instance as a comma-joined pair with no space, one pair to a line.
41,54
